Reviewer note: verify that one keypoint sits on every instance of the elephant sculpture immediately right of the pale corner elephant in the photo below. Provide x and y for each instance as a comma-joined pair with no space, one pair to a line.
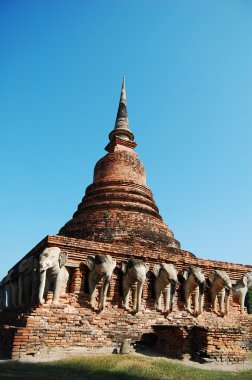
100,268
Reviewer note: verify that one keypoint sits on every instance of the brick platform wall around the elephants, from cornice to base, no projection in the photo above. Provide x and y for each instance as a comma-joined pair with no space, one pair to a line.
75,327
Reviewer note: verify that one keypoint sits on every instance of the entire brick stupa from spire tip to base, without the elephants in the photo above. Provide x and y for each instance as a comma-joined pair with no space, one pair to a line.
118,217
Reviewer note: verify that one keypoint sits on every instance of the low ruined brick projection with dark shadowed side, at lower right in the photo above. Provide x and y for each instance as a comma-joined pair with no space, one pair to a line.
204,344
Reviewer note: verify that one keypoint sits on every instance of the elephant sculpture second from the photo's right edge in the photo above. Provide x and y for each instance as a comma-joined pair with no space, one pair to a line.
220,285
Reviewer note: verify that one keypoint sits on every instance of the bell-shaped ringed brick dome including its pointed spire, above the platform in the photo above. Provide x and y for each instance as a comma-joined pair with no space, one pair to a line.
118,206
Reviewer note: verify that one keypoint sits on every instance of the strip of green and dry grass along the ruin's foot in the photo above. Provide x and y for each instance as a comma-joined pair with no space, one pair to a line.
112,367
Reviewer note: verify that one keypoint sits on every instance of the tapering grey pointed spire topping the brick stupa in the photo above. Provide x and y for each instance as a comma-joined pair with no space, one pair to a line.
121,128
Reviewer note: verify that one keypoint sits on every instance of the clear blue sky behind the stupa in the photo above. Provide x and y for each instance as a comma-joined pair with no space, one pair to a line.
188,68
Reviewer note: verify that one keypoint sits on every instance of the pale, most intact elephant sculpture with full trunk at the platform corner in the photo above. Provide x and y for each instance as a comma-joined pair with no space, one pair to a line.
53,273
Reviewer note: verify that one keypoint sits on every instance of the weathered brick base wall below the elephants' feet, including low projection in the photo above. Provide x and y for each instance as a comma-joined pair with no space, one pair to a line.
74,327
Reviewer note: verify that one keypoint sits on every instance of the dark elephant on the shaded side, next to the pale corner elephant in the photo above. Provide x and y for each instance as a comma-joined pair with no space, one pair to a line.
28,281
